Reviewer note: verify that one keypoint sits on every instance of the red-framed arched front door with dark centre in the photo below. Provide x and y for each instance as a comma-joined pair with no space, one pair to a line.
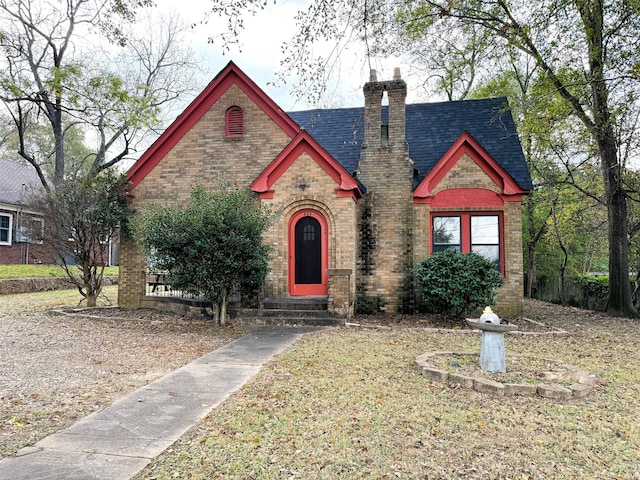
308,253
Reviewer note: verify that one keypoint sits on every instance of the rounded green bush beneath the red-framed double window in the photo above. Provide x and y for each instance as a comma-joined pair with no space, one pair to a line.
453,283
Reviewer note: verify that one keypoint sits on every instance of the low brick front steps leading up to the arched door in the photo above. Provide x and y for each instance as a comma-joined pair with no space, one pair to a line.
288,311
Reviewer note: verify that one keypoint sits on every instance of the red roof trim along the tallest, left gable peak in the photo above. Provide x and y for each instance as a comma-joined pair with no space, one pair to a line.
230,75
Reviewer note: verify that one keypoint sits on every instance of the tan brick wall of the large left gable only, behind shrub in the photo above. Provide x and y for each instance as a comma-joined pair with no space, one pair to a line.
203,156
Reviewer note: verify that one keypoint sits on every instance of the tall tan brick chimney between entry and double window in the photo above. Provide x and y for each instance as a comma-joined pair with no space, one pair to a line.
385,256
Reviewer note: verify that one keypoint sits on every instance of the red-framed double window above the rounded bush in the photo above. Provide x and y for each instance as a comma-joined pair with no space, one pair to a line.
468,232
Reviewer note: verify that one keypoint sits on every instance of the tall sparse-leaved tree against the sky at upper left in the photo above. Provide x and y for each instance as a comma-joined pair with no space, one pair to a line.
53,77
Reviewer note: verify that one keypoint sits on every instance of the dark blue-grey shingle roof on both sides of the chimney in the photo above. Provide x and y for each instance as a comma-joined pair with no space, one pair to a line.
431,128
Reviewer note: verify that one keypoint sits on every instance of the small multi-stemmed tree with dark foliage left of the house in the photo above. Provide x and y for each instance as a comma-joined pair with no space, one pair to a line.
81,218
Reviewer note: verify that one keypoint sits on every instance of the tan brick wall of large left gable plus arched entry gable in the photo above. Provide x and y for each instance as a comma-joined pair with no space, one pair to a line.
204,155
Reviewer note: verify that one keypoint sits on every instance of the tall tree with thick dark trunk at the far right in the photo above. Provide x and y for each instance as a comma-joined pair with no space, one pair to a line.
559,36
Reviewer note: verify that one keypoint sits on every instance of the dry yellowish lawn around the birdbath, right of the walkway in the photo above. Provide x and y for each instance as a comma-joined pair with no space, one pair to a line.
350,404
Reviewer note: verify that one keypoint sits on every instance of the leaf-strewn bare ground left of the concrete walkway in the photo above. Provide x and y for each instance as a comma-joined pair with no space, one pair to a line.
55,369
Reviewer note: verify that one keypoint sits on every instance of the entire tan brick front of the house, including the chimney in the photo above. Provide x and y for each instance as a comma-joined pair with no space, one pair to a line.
372,242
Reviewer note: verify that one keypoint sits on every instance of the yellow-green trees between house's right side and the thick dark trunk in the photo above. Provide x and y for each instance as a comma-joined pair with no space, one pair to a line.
562,215
